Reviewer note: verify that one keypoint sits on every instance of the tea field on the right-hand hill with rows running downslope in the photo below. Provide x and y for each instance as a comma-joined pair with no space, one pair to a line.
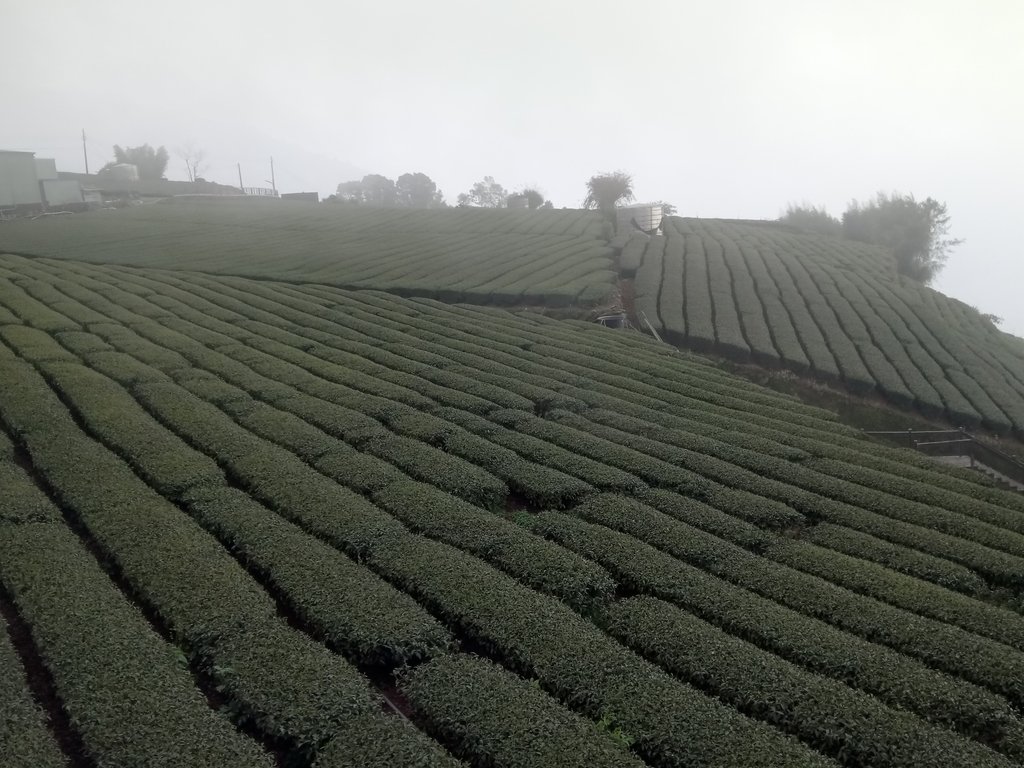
828,308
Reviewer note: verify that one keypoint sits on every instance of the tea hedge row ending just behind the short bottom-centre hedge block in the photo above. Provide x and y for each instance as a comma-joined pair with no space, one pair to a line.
368,619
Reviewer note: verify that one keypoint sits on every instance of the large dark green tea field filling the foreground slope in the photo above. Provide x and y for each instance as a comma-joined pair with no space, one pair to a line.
253,524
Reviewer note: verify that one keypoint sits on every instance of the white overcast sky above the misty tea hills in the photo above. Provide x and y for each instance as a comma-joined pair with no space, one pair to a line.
727,109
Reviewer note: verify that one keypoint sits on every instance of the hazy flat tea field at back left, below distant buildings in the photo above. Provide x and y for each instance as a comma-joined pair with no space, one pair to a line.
467,254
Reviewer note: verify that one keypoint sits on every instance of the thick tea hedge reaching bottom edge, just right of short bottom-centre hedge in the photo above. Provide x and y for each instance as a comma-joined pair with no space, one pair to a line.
671,724
